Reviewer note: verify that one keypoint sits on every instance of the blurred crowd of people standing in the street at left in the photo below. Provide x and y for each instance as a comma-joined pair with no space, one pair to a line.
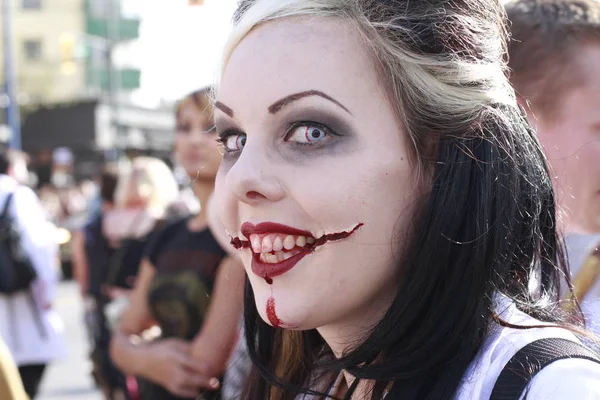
138,241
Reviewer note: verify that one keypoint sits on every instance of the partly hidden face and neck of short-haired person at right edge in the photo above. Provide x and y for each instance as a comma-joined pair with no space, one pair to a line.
571,140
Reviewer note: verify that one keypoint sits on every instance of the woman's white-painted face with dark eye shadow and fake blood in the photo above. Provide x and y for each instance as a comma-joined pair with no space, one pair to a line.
312,143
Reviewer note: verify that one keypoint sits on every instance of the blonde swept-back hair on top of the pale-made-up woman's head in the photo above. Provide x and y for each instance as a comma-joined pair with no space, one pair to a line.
443,90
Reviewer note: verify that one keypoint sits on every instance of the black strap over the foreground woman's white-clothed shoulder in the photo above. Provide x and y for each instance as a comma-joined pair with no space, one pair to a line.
531,359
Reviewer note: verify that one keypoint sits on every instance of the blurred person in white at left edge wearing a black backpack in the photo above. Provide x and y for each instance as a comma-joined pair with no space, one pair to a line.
29,325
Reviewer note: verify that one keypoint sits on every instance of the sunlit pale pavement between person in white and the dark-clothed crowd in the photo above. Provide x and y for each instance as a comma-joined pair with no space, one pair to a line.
70,379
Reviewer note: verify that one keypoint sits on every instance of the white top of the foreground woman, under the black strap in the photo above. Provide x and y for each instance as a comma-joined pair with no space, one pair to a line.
562,380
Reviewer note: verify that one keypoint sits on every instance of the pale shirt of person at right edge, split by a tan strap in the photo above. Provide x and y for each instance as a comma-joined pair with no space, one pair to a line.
579,247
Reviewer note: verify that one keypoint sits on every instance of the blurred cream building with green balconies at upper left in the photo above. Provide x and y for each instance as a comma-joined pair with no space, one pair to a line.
64,49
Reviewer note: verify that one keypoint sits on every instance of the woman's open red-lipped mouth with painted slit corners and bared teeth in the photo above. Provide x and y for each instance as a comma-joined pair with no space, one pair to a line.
278,248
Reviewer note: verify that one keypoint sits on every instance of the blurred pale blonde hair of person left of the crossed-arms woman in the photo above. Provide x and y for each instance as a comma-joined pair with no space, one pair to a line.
148,178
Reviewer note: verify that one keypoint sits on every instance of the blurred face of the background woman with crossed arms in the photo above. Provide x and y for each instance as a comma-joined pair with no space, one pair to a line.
195,144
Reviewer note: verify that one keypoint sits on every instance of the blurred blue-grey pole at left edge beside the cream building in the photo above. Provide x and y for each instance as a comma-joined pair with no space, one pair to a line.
10,85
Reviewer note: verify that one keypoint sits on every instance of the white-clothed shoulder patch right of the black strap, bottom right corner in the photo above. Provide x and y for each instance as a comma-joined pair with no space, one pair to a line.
567,379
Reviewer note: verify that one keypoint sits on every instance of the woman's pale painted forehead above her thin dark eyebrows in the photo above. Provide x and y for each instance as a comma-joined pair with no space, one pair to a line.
294,55
